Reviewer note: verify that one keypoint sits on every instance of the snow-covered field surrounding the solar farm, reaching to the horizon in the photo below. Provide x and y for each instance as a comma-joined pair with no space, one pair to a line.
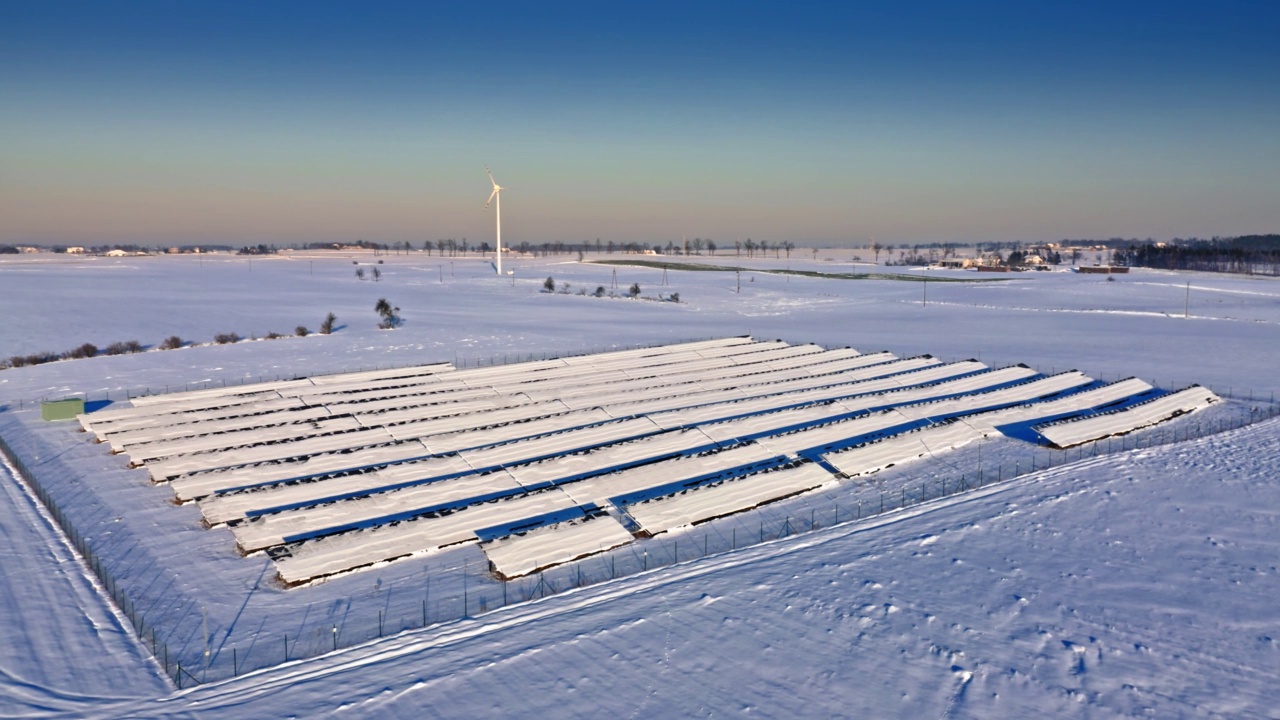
1128,585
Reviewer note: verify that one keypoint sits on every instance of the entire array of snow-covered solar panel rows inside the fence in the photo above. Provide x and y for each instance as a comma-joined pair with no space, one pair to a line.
546,463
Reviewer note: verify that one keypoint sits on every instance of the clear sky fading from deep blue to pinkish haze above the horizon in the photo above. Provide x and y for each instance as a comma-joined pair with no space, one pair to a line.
231,122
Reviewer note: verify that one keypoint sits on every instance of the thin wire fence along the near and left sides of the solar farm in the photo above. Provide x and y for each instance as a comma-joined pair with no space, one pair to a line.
465,587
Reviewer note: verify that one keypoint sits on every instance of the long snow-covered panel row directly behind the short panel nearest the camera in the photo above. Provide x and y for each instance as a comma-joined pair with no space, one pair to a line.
337,554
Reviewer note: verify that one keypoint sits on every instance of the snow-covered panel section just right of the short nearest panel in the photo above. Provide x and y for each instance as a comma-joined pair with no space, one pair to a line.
726,499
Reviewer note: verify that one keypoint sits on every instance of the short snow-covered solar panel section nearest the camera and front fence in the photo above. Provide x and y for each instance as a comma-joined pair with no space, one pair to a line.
515,557
